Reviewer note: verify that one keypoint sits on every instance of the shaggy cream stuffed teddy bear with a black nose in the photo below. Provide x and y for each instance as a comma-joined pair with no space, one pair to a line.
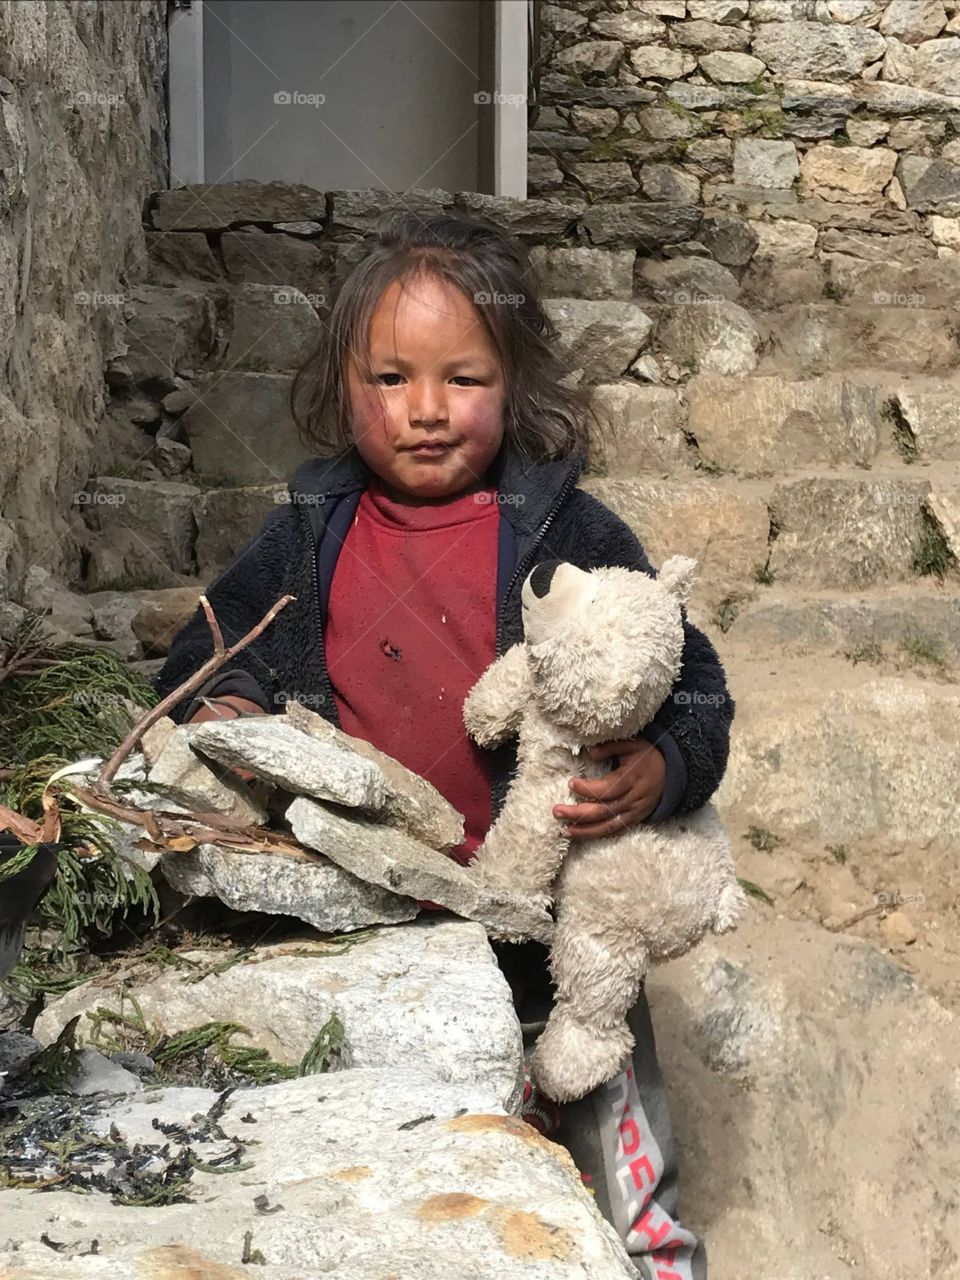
601,653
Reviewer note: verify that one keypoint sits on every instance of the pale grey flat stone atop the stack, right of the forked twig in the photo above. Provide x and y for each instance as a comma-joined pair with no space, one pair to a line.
280,753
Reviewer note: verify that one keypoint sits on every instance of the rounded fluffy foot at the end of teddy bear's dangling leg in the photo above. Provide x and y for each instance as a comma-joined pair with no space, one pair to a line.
574,1058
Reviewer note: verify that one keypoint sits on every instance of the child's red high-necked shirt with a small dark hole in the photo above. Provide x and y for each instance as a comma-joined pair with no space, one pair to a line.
412,625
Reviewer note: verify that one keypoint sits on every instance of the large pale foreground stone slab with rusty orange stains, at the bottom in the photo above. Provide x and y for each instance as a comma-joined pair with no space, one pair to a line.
354,1176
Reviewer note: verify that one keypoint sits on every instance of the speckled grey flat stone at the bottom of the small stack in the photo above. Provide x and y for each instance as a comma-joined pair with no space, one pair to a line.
316,892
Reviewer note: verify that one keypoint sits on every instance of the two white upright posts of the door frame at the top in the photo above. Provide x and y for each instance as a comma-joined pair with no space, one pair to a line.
511,54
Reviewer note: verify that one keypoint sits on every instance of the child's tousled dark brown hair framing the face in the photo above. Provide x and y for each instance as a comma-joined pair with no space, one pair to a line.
543,418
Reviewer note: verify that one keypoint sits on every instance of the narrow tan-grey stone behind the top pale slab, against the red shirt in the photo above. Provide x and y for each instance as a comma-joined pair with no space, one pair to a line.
410,802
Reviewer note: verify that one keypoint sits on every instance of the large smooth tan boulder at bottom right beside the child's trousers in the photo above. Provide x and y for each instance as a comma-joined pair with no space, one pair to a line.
826,1077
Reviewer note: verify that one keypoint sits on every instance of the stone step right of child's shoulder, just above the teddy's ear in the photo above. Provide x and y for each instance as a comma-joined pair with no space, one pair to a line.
851,528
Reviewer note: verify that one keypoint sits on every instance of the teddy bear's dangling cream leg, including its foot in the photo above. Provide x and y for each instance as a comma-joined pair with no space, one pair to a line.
587,1037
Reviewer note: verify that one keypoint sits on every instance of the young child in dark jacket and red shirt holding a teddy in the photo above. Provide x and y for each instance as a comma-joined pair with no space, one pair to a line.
447,458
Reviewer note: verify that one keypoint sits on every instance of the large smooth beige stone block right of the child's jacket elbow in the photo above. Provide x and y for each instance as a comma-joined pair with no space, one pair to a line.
824,748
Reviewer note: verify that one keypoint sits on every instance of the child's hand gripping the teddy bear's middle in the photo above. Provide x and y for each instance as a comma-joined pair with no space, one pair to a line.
621,798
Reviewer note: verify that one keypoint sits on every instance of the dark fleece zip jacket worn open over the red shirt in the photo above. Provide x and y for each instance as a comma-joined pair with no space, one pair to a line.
543,516
